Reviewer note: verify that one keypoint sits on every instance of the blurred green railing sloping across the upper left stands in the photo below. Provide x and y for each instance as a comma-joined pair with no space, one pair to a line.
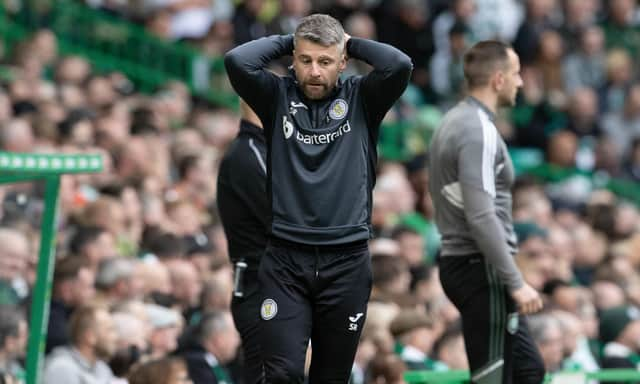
111,43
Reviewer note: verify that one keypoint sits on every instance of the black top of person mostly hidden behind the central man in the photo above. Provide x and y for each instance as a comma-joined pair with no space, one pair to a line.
242,197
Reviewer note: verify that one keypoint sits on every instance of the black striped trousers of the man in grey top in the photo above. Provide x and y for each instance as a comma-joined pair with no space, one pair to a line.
499,347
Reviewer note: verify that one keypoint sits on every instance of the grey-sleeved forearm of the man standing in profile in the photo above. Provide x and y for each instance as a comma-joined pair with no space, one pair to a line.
489,236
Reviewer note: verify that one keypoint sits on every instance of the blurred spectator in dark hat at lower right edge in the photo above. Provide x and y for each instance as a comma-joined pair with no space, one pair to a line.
619,333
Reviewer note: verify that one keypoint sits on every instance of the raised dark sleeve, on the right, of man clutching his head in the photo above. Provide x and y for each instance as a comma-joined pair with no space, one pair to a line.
388,80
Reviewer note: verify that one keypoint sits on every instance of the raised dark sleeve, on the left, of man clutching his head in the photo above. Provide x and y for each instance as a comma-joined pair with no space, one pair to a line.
246,67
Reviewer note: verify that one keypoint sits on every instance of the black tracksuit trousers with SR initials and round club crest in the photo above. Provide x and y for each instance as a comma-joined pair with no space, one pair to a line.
318,293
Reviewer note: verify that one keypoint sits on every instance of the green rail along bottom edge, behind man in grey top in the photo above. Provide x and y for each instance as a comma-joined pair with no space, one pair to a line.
460,377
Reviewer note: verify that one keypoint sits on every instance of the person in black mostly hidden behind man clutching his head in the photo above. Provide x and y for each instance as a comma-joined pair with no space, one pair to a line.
243,207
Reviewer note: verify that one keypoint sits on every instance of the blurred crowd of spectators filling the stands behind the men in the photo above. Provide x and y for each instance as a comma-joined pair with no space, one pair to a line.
142,282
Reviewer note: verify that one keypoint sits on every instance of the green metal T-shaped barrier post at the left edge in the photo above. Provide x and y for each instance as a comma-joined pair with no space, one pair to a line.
22,167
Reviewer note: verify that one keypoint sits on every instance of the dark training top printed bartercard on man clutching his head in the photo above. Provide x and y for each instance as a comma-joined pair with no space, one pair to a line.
321,154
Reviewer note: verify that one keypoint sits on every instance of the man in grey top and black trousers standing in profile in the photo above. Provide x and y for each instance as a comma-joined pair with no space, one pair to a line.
470,180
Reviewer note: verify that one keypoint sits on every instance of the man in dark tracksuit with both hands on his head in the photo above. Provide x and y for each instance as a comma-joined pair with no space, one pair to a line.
321,132
